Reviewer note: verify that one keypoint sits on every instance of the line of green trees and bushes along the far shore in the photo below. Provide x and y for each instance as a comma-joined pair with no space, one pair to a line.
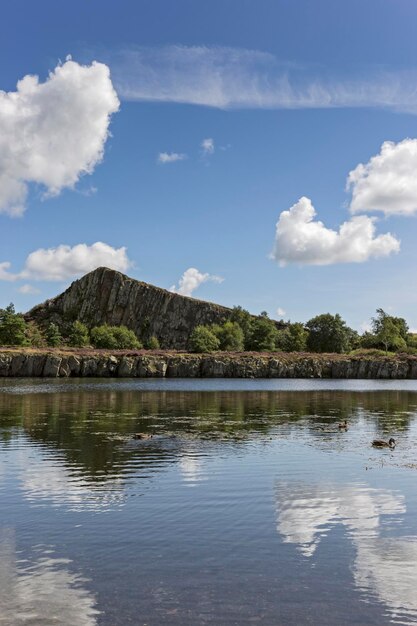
241,332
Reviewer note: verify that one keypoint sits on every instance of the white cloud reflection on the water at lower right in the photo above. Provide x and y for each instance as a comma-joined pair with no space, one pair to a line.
385,567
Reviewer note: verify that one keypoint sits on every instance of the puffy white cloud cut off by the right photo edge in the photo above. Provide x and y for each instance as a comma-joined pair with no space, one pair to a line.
388,182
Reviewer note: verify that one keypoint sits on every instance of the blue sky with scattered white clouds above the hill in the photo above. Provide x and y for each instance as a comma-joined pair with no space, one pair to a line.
260,153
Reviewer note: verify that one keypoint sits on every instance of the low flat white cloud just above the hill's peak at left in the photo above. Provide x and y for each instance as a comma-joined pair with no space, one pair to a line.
62,262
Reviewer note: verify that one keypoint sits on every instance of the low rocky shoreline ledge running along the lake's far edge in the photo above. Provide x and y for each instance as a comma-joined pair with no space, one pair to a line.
102,364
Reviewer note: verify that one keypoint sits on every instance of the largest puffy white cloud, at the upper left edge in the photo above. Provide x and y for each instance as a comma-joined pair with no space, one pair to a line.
51,133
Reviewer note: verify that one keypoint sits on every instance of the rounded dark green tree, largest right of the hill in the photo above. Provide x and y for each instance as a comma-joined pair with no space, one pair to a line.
329,333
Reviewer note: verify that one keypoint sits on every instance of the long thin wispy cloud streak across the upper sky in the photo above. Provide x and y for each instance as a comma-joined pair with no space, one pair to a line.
239,78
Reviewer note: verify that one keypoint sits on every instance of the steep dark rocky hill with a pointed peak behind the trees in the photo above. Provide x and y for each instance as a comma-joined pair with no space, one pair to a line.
106,296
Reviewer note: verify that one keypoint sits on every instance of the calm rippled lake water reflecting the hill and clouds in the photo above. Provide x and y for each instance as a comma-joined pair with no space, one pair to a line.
248,505
